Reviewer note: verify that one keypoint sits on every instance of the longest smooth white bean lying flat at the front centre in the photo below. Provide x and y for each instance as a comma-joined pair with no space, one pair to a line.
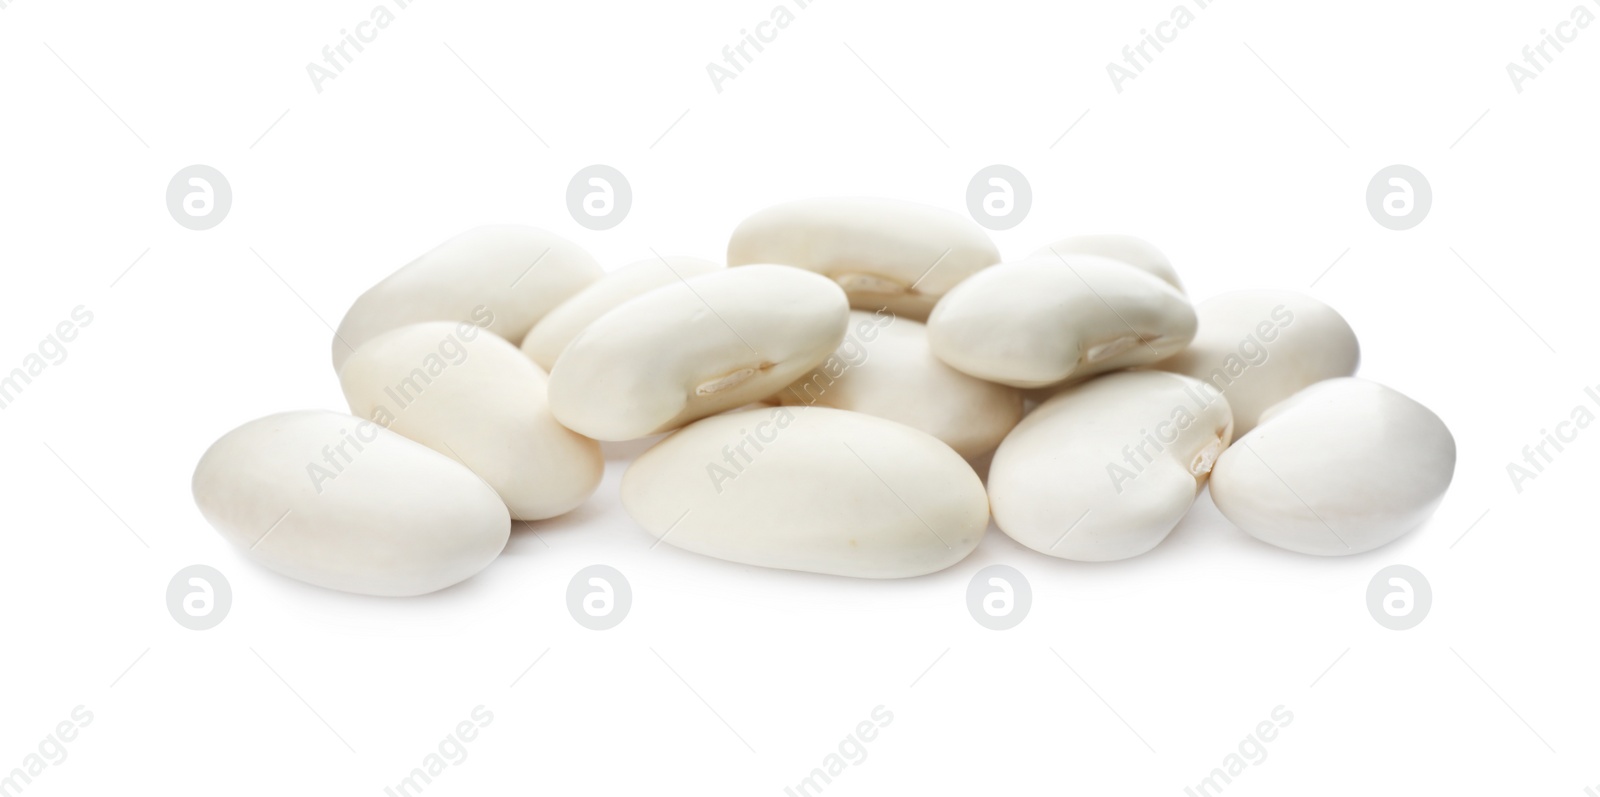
810,489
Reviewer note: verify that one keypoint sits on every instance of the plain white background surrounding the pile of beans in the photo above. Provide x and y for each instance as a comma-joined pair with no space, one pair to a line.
1132,678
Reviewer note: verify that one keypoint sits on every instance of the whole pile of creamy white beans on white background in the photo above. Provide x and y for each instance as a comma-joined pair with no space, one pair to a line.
825,399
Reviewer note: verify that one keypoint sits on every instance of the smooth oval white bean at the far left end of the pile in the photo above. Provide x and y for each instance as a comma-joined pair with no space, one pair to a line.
343,503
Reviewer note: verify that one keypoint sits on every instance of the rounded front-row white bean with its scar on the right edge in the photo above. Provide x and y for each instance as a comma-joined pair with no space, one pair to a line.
1106,470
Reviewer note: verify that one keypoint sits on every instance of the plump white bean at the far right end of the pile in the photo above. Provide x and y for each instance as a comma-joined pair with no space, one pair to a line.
1340,468
